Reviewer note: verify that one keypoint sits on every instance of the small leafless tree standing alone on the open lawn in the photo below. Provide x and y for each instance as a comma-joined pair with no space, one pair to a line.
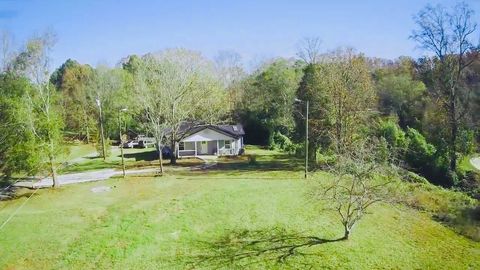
361,178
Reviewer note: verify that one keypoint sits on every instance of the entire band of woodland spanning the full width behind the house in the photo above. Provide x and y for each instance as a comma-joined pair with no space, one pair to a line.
425,112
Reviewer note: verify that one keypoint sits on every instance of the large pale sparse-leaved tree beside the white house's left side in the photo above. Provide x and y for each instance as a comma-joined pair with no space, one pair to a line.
182,87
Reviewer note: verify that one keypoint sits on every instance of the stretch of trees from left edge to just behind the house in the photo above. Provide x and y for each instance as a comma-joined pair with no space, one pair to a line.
152,94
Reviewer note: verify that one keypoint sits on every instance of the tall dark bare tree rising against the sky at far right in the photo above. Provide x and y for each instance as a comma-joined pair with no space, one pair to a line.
448,35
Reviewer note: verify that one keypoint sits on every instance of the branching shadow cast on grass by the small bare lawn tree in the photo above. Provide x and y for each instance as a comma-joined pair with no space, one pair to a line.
244,247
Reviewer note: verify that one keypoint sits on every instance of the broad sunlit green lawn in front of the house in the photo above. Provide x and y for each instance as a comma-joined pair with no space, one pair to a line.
235,217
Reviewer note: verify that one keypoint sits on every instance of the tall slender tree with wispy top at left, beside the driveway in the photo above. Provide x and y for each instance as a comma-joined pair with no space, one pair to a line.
44,119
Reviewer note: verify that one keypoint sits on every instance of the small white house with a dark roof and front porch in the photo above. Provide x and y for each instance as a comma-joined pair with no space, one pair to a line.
219,140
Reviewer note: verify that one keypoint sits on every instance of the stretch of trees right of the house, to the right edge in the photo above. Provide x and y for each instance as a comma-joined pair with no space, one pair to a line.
426,111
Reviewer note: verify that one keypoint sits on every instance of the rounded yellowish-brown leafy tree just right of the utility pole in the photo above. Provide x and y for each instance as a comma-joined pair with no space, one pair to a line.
341,96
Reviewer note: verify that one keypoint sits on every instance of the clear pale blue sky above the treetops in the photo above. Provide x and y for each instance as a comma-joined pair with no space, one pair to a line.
104,31
